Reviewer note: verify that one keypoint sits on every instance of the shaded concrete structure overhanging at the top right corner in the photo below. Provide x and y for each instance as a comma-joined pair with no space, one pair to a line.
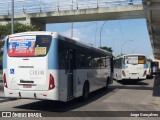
152,12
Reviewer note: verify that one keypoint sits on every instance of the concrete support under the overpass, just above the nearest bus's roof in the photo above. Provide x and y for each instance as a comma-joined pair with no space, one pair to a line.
41,26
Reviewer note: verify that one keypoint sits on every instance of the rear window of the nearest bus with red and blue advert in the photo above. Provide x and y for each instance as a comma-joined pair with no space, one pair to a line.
26,46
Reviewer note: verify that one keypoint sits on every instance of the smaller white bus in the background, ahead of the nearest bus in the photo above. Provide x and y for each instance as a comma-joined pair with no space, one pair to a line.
130,66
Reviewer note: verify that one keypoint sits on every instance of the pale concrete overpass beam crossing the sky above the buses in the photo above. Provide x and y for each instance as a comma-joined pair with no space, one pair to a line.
79,15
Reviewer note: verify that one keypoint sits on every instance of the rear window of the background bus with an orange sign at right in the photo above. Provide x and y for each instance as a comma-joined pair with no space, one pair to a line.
134,60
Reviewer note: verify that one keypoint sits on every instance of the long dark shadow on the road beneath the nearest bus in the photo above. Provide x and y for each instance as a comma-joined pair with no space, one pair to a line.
55,106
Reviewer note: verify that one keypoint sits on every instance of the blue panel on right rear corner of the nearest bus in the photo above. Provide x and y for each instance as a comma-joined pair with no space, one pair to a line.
53,55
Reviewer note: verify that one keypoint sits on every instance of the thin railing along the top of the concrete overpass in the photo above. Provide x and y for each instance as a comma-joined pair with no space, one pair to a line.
34,6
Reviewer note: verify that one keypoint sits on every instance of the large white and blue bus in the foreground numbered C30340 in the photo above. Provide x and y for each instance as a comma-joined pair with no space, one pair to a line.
46,65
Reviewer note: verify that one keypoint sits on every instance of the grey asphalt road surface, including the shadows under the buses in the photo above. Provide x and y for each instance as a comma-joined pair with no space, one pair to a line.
121,96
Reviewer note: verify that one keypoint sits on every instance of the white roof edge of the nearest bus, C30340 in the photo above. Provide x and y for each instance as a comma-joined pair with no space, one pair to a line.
56,35
